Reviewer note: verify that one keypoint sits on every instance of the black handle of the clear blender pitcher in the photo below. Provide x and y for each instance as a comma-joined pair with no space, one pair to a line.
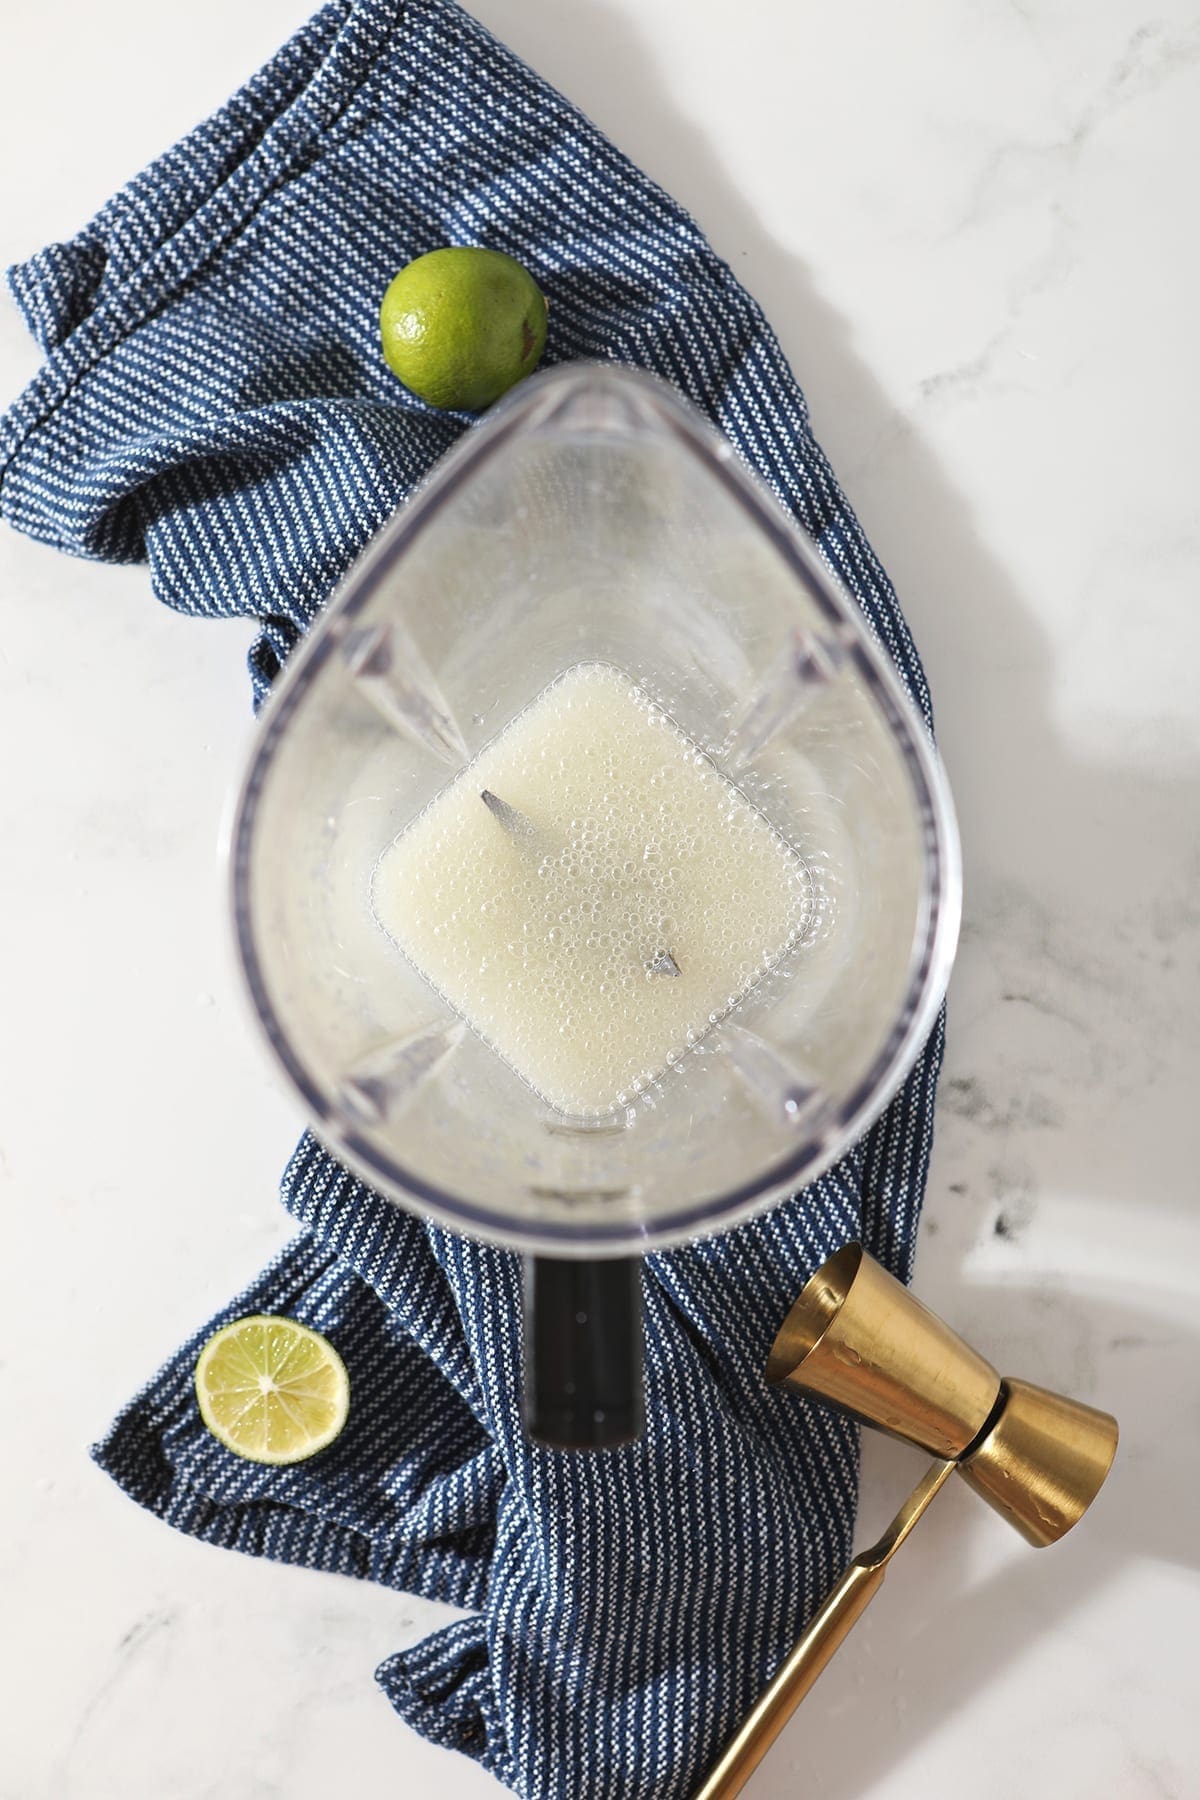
584,1353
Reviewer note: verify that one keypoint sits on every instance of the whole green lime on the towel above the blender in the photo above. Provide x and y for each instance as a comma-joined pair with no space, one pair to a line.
461,327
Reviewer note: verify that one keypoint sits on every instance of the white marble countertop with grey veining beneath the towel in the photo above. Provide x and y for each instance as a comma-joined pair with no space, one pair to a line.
972,228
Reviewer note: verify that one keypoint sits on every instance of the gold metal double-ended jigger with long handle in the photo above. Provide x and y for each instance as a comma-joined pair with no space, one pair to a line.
861,1342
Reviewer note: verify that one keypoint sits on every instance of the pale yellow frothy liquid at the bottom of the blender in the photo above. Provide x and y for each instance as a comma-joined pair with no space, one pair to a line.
640,845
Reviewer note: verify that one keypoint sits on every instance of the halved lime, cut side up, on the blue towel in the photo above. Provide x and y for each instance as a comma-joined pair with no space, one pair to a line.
273,1390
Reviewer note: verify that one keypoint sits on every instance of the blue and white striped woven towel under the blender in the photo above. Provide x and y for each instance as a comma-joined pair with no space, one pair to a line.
213,402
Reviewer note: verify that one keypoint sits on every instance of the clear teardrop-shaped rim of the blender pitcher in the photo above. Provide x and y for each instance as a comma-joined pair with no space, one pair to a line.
935,935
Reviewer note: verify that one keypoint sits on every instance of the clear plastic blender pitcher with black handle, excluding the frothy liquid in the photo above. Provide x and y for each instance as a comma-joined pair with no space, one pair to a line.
593,519
